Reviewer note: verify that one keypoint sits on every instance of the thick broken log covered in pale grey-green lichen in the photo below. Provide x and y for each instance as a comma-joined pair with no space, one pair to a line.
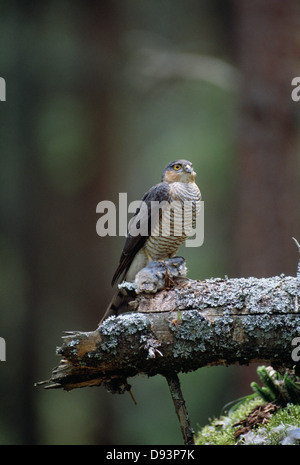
191,325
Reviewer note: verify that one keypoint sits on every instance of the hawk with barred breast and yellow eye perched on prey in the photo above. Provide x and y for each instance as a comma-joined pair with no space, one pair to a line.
159,226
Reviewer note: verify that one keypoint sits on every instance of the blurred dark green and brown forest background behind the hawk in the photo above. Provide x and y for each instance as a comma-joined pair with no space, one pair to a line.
100,96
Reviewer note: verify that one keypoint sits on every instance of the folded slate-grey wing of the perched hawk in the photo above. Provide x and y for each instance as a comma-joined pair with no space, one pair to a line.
140,225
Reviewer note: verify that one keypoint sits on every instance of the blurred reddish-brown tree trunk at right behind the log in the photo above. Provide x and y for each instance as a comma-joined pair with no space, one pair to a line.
267,195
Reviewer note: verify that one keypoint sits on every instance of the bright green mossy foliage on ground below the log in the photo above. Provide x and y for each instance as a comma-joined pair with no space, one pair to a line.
283,426
